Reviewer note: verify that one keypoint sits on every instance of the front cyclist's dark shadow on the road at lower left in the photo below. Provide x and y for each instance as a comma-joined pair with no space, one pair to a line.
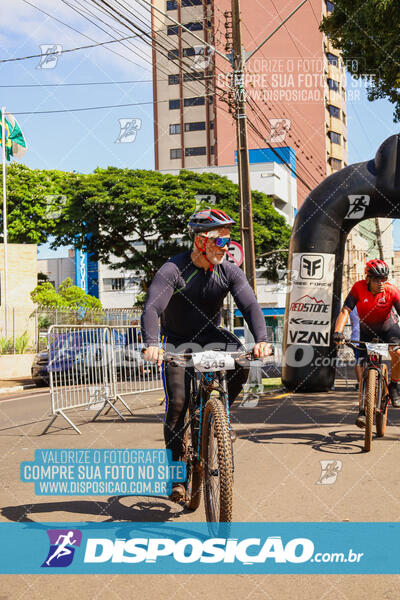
158,510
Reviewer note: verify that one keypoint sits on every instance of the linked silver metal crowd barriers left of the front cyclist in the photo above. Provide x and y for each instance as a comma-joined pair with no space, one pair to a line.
94,367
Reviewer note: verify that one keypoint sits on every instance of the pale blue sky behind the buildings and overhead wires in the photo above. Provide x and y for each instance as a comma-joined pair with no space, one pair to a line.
83,140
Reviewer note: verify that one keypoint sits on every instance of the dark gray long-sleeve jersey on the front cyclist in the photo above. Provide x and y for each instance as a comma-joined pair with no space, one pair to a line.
189,301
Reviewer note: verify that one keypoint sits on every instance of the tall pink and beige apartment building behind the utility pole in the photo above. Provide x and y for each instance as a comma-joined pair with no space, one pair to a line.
296,88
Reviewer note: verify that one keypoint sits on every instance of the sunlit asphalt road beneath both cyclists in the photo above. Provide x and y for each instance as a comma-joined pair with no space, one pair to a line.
277,469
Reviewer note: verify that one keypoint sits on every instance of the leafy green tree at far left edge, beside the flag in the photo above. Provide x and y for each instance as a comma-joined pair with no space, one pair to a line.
35,203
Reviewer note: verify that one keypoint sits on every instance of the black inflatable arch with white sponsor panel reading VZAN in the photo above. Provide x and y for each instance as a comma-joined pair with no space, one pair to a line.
360,191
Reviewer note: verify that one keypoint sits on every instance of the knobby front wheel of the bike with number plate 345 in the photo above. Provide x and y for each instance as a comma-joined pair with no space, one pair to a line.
217,461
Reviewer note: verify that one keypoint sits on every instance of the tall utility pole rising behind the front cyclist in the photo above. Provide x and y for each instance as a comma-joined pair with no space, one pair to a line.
246,209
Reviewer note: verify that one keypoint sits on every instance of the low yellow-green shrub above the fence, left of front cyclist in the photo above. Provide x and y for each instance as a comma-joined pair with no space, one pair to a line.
68,296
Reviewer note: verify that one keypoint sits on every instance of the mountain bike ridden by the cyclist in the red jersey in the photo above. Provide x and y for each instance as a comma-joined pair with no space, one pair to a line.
373,391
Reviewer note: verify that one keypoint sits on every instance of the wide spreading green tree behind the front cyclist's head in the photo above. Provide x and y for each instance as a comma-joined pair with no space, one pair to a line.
140,216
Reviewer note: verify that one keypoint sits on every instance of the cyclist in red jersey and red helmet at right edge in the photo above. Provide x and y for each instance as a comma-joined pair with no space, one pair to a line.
375,299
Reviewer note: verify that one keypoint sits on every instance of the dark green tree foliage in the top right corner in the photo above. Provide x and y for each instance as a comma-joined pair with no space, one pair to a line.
367,34
